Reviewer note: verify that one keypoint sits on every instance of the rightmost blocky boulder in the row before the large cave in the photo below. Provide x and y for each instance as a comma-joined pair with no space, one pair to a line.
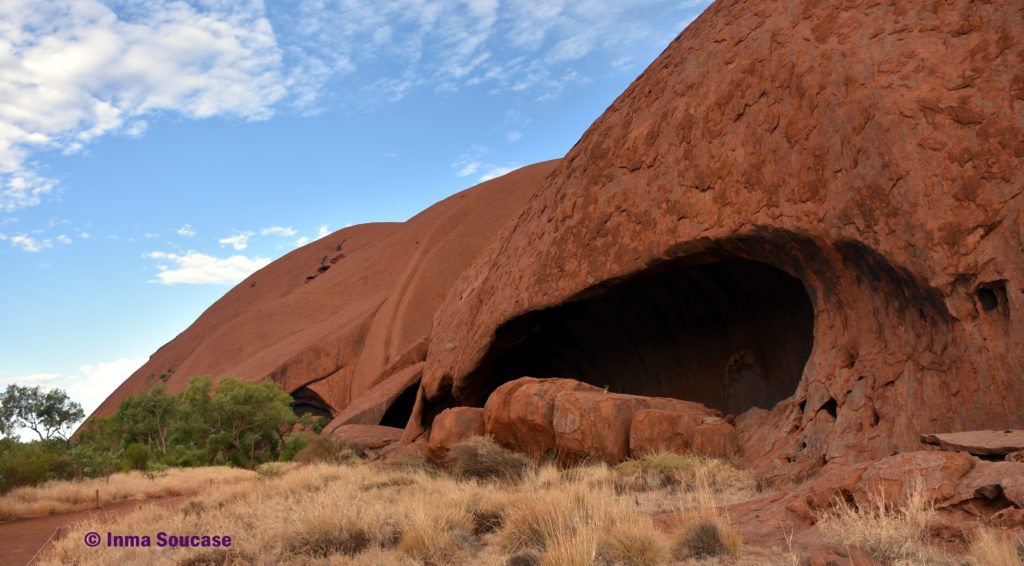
682,432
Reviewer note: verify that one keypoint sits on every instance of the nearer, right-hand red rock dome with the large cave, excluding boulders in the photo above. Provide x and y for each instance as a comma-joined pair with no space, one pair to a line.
804,214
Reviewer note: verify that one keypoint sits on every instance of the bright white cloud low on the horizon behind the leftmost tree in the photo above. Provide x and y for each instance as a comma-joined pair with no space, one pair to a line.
90,386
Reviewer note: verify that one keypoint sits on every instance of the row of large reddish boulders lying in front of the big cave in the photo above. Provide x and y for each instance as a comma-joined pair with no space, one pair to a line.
575,421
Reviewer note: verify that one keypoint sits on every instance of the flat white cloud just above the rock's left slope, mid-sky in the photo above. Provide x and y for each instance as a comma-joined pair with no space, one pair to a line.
197,269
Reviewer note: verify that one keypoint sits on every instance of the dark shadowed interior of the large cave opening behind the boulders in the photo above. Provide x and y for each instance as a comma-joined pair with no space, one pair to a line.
733,335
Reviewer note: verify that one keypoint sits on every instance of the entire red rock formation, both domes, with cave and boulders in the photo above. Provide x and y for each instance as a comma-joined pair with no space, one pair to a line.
805,215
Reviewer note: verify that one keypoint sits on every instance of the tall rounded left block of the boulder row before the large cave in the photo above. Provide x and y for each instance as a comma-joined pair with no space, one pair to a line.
519,415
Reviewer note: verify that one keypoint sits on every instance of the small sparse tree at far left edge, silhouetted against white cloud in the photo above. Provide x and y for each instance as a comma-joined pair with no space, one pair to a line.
49,414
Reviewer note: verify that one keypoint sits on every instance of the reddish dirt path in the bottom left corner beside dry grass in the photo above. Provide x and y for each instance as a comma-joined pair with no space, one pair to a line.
21,540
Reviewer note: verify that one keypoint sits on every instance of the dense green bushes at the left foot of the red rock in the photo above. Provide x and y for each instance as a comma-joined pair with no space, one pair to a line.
232,423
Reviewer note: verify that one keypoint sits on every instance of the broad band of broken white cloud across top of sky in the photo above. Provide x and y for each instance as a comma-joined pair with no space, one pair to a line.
73,71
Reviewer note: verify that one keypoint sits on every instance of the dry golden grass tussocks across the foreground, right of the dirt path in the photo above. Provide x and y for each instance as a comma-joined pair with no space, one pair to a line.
492,507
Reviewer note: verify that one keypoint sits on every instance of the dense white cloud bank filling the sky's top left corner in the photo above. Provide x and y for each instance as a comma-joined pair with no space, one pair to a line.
72,71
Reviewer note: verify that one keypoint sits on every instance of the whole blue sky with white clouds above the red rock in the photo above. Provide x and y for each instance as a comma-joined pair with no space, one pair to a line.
153,154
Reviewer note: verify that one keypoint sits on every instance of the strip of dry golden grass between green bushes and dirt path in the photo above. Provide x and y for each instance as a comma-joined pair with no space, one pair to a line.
65,497
